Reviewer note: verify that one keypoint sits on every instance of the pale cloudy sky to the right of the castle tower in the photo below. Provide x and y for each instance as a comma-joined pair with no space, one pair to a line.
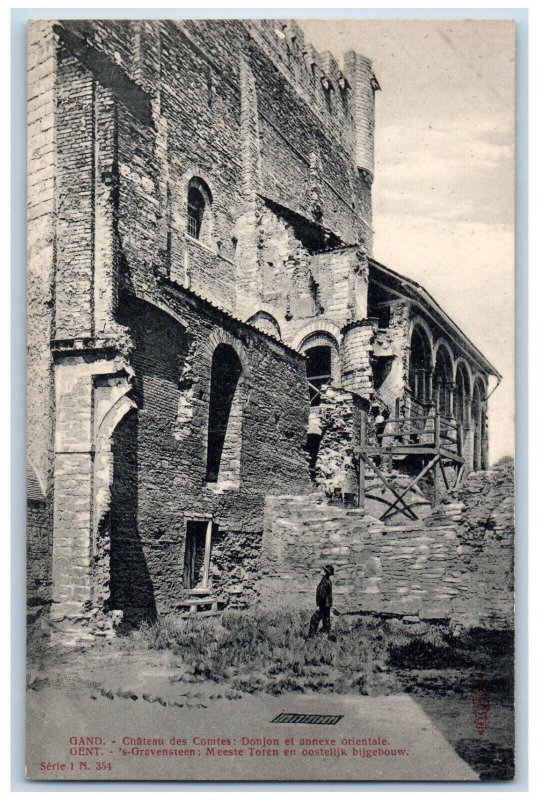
443,191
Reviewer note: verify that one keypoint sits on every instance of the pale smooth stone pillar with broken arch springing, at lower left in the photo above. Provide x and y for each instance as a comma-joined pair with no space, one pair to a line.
91,398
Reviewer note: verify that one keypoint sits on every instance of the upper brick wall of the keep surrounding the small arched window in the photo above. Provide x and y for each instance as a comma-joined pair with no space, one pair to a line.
176,91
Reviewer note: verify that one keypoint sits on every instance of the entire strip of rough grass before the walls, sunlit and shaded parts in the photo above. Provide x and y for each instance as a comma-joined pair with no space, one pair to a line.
265,651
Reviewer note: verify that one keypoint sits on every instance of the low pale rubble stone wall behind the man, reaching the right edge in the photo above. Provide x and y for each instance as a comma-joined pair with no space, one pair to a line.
417,570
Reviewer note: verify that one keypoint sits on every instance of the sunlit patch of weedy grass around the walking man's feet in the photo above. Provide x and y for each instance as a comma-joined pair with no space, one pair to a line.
269,652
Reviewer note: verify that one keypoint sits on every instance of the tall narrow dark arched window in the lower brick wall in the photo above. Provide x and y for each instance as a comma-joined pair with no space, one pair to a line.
225,417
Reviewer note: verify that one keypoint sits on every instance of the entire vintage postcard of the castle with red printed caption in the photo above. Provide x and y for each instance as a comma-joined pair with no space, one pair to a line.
270,400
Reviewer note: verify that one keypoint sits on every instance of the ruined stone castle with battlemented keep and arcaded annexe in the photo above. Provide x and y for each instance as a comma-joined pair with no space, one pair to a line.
214,355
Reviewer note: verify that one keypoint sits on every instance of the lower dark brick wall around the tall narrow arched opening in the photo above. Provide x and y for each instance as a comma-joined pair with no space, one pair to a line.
163,483
